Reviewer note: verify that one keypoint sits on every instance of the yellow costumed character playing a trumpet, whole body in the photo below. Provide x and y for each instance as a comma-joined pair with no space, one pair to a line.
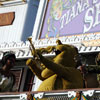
60,72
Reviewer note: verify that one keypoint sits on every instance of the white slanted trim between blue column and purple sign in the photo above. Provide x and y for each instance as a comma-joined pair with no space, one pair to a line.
39,19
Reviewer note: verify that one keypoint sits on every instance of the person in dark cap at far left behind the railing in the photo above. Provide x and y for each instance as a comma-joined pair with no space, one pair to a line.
7,78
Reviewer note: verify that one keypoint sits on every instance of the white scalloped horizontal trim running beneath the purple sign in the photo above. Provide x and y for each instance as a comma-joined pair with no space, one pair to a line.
22,50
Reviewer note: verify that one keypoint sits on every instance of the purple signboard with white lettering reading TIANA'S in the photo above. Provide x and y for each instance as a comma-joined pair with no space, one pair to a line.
71,17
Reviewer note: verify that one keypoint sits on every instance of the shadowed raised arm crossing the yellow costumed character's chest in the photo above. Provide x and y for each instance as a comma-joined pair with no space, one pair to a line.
65,72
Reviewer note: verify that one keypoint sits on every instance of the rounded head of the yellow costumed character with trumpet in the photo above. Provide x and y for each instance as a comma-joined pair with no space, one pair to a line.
65,54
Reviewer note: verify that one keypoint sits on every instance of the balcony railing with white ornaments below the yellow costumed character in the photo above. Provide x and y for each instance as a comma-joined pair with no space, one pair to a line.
90,94
